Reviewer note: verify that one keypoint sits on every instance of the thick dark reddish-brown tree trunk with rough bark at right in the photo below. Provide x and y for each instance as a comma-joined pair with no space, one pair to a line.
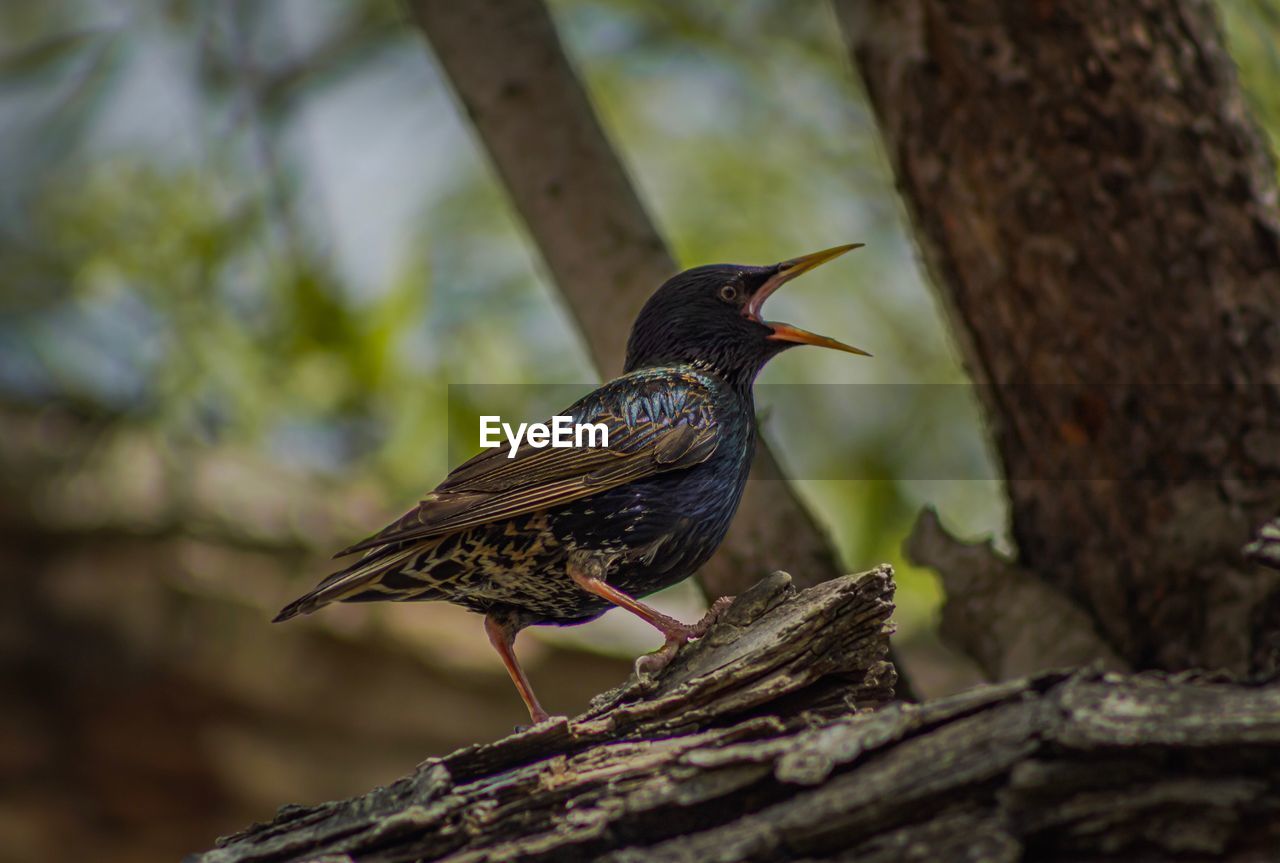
1100,220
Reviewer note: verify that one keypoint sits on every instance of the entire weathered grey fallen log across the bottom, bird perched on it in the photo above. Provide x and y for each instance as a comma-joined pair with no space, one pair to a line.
752,747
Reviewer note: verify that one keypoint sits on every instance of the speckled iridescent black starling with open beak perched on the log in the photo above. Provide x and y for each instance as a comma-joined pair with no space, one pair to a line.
546,536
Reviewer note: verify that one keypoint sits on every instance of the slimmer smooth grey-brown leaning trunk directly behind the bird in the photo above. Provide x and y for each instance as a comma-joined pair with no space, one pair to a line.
533,117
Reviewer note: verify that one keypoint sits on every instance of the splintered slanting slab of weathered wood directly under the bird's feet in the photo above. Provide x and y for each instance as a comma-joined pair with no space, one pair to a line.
776,660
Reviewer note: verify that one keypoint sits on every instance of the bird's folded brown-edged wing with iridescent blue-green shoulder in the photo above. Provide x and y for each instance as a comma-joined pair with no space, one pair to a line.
656,424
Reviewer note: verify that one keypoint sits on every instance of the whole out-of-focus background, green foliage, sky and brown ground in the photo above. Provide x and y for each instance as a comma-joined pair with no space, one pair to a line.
252,253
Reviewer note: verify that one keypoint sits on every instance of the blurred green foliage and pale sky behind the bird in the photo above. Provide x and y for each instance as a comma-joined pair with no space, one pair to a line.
267,225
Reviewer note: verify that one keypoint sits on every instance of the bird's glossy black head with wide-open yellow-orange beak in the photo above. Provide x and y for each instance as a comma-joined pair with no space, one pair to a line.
710,317
